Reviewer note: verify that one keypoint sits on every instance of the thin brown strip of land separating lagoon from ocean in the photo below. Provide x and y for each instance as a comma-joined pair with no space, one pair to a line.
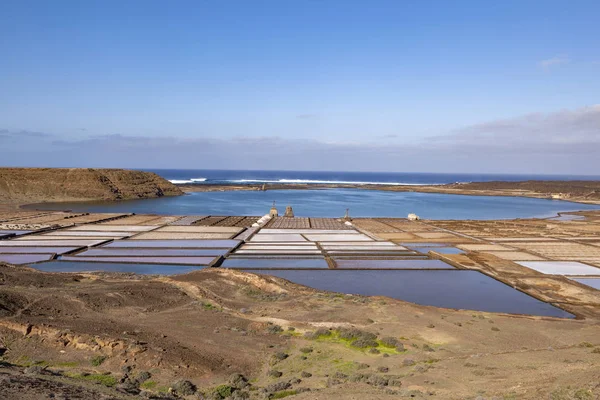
577,191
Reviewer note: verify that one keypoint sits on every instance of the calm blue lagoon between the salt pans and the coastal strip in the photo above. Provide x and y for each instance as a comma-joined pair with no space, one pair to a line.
333,203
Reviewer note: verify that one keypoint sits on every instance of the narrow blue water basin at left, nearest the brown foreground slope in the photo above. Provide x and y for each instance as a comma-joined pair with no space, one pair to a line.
150,269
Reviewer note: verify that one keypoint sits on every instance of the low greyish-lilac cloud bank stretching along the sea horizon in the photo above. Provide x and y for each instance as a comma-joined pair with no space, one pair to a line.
566,141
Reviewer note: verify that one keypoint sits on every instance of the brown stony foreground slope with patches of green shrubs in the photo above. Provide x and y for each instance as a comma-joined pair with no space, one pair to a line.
226,334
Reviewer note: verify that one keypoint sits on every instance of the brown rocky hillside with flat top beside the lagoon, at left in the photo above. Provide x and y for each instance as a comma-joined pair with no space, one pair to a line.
37,185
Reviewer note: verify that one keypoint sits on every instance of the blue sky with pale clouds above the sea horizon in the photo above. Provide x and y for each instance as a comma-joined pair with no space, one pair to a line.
307,79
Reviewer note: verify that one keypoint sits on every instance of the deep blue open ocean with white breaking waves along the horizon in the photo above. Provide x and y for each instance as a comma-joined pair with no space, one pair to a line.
282,177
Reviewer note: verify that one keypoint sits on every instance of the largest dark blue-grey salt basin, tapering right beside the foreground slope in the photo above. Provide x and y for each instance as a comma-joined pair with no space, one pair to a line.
451,289
